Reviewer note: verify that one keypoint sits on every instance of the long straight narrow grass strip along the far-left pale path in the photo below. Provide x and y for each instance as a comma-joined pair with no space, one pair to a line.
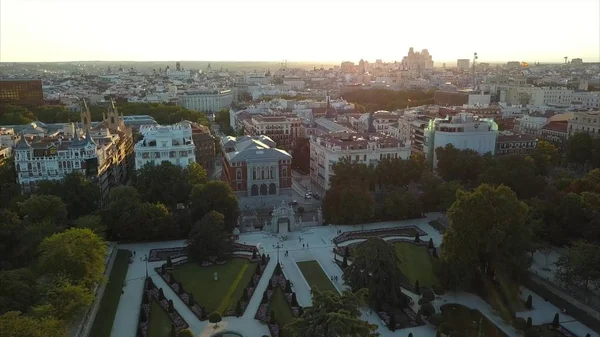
112,293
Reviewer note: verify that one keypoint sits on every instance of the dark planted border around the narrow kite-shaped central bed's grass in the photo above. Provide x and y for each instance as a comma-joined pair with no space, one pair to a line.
262,314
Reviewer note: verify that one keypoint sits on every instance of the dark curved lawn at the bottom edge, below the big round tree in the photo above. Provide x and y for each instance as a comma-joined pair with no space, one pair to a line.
461,319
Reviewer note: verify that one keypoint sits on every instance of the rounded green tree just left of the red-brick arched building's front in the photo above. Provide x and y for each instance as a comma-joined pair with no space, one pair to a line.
215,196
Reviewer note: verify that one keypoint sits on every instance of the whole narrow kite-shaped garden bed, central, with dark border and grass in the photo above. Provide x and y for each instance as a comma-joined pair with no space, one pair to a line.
278,305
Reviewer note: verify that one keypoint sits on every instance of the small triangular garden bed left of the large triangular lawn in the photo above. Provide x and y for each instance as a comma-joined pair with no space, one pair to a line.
153,294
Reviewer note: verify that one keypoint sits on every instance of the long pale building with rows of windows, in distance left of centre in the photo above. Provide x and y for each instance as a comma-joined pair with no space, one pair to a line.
206,100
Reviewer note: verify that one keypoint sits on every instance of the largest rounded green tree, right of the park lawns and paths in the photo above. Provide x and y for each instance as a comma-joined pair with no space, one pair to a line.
488,235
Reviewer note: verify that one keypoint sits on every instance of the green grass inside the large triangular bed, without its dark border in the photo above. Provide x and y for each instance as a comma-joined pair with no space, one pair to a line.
216,295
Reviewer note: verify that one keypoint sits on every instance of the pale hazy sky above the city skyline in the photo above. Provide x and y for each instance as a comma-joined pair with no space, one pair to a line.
306,30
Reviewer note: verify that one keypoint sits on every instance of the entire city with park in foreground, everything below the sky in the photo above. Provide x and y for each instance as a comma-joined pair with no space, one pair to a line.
401,197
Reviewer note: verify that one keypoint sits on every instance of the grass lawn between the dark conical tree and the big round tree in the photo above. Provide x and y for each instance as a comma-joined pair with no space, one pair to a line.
417,264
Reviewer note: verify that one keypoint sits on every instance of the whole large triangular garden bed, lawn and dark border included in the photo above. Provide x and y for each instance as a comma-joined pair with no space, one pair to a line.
230,294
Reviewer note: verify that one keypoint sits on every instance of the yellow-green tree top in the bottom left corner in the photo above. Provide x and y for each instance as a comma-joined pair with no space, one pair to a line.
14,324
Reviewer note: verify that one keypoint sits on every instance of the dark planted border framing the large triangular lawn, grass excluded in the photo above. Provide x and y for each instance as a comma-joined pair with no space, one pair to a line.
199,310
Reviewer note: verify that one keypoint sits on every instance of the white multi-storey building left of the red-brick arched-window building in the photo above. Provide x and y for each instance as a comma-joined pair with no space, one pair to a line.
172,143
